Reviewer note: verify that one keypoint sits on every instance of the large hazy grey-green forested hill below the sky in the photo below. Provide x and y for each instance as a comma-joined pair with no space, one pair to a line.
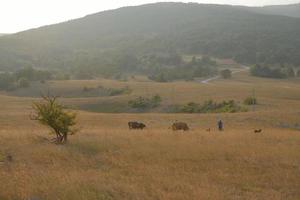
95,40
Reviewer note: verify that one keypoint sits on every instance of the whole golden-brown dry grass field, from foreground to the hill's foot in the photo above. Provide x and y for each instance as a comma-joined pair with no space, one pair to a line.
107,161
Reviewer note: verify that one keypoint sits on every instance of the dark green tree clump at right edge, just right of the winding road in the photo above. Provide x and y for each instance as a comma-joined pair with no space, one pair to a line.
268,71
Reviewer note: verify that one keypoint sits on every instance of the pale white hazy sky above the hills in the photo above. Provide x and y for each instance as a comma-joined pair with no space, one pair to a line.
18,15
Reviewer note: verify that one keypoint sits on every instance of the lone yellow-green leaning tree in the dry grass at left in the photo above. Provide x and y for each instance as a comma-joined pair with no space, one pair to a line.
51,113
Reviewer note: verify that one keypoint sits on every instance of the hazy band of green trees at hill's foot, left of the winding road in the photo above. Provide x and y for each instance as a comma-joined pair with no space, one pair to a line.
160,67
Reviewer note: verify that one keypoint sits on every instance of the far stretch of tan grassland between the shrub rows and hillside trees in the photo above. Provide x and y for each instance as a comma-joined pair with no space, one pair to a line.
271,93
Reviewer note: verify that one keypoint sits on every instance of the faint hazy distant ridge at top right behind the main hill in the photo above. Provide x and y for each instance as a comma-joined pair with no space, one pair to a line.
292,10
